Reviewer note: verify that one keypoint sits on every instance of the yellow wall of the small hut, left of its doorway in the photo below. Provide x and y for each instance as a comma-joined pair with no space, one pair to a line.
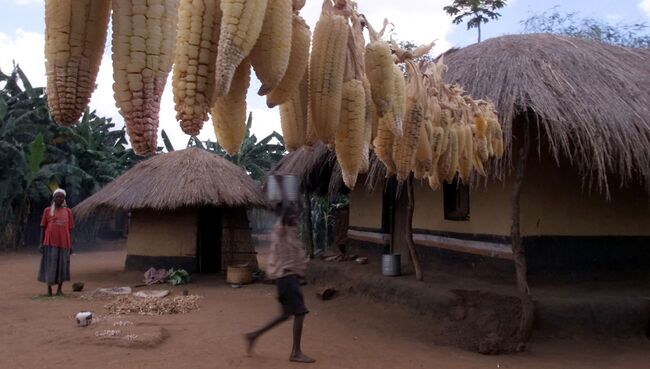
153,233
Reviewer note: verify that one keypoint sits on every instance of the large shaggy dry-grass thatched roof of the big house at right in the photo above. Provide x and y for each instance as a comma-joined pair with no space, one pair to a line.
591,100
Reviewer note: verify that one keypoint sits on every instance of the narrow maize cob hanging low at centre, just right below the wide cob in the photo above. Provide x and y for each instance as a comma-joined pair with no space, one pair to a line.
351,131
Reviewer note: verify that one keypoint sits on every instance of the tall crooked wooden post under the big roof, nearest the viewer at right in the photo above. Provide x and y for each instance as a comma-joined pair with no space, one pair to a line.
518,250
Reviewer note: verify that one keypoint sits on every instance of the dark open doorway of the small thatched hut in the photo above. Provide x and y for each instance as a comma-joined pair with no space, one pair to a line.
208,242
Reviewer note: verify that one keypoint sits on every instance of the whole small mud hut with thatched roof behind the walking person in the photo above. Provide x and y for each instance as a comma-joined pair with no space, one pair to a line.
187,210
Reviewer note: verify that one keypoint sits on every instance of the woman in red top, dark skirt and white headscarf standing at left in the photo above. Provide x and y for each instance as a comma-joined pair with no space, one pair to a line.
56,243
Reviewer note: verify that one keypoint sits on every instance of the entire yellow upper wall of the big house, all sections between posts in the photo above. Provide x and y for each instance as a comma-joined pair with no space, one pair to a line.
553,203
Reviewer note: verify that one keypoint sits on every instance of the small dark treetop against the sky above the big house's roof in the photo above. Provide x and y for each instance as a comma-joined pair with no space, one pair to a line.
478,11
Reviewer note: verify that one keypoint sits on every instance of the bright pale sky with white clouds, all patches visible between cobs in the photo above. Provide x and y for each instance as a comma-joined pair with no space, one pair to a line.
421,21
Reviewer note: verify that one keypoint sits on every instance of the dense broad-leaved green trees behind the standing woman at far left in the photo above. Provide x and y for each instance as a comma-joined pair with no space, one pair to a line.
37,155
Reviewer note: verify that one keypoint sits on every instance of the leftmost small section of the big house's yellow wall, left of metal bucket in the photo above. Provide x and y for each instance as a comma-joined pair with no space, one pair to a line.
365,208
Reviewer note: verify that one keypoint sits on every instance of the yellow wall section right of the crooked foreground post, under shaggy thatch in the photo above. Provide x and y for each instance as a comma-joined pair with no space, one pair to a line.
554,203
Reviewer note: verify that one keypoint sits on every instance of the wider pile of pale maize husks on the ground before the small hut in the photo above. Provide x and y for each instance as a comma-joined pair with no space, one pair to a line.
153,306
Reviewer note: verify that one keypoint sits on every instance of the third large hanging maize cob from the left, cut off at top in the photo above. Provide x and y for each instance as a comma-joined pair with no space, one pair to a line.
196,54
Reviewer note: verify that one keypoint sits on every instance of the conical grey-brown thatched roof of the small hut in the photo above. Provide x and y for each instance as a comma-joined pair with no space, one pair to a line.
184,178
